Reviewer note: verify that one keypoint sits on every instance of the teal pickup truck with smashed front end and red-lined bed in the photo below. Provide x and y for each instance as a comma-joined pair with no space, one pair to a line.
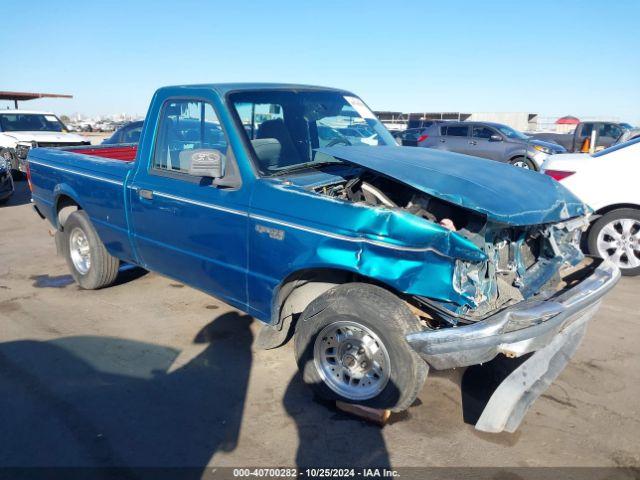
385,261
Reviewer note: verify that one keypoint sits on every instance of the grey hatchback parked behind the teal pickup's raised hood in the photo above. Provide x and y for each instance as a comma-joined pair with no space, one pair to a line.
494,141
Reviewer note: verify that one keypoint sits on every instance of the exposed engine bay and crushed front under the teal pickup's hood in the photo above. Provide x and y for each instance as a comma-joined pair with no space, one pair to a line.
522,261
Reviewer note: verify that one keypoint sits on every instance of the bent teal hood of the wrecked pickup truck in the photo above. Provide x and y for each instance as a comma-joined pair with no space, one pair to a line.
504,193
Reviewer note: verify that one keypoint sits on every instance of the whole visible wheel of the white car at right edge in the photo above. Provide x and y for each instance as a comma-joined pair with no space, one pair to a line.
616,237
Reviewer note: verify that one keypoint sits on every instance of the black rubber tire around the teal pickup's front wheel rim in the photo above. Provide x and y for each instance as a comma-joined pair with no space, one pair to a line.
382,313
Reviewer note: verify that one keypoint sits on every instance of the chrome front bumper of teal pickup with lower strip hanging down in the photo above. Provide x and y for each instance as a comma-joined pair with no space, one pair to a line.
551,328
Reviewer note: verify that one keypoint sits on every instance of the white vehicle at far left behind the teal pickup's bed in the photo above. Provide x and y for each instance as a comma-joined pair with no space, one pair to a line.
21,130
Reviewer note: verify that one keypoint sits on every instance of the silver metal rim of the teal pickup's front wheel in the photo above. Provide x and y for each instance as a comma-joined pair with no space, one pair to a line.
352,360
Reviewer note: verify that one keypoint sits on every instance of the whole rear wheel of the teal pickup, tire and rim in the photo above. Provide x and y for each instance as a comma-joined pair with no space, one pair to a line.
91,265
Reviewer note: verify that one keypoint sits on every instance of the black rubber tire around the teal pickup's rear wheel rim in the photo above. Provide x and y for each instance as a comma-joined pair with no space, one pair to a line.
103,268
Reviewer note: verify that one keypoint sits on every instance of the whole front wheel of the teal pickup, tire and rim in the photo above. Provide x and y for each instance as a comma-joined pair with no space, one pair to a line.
350,345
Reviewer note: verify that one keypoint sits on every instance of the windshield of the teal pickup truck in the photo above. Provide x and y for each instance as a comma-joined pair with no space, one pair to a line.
285,128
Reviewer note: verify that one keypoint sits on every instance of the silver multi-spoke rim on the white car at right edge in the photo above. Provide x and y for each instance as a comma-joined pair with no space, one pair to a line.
619,242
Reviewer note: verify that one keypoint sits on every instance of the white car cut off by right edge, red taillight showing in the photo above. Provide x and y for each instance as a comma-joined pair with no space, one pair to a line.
608,182
